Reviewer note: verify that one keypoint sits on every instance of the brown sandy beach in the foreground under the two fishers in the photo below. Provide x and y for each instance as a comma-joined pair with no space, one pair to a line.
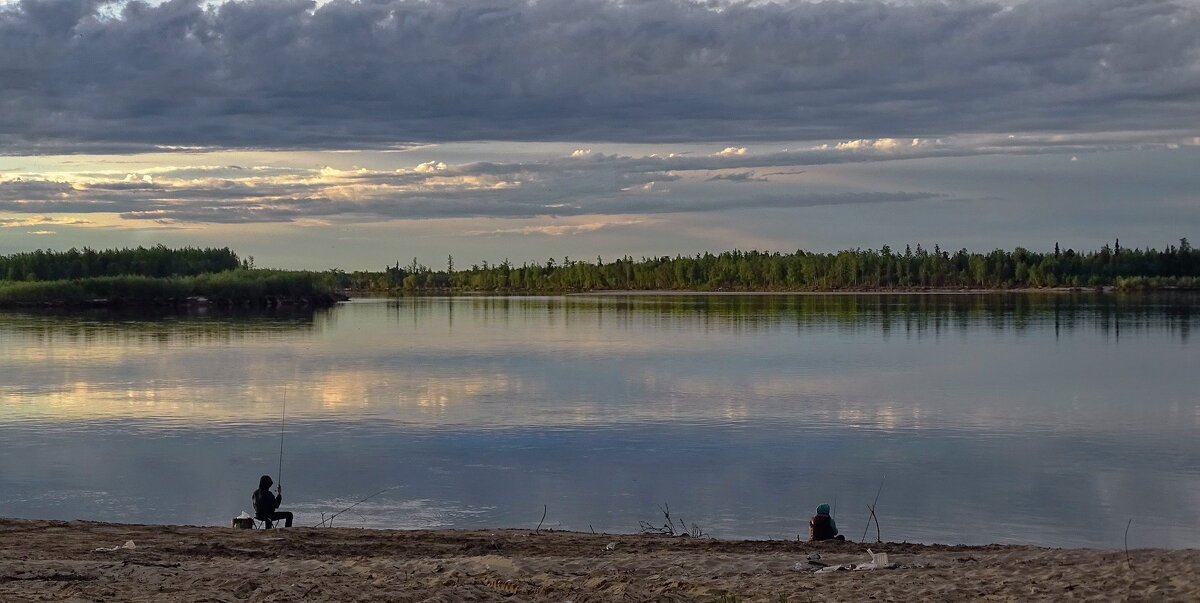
58,562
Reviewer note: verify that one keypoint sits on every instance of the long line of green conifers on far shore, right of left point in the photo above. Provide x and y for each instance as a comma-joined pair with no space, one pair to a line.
1177,267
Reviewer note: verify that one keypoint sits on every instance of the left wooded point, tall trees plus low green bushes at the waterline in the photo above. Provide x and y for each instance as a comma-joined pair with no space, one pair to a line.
155,277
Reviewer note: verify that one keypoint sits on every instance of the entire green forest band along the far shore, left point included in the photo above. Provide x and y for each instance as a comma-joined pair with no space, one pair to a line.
165,276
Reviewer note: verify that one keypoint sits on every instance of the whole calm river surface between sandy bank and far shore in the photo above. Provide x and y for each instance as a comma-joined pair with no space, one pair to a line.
1048,420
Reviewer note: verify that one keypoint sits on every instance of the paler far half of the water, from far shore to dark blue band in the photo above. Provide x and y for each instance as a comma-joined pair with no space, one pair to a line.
617,360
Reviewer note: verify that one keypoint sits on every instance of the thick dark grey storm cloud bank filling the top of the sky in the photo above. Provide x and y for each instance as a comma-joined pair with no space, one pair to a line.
88,77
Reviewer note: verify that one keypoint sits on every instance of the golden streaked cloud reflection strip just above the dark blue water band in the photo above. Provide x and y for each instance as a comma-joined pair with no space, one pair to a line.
521,395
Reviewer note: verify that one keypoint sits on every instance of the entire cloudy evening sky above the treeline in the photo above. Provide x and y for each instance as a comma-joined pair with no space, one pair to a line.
361,134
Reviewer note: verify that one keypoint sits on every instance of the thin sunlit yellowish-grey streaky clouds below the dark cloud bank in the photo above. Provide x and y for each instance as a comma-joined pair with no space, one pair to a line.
590,184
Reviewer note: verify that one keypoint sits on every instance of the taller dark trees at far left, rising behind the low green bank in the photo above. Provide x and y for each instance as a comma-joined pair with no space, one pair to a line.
158,262
